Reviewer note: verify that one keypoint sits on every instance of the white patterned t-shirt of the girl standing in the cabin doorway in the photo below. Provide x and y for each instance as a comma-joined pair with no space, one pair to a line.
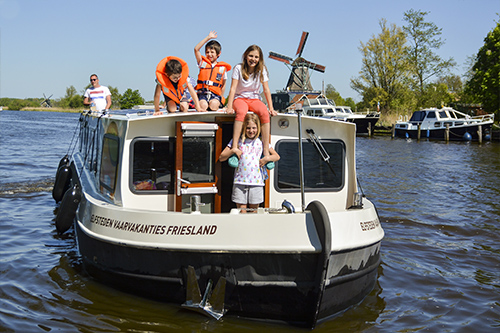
249,172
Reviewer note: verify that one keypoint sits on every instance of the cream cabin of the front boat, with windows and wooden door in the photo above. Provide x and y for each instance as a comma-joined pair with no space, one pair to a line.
161,162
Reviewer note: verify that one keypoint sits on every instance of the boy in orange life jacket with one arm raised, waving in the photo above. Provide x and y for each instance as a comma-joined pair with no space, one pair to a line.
213,74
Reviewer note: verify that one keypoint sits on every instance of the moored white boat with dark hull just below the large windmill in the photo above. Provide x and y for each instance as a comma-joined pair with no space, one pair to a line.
320,106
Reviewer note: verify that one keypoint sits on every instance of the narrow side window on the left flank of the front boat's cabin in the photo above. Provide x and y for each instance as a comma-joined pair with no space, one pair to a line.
109,162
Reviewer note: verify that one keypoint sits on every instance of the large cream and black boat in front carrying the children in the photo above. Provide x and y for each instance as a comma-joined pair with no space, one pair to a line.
150,205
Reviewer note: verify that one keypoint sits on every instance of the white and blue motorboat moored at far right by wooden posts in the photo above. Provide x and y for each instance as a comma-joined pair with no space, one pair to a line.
445,124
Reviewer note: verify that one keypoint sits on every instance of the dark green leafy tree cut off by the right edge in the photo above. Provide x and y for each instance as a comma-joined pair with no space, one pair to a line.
484,84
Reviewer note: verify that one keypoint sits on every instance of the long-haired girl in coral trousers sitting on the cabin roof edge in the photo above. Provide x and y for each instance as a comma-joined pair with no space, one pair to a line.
244,95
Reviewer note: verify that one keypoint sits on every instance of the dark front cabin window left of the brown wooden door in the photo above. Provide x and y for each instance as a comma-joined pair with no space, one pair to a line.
151,165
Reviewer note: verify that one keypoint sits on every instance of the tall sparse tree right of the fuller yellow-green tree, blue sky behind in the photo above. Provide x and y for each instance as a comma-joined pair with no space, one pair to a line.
424,38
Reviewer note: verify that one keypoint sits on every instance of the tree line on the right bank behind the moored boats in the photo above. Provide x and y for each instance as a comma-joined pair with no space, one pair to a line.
401,70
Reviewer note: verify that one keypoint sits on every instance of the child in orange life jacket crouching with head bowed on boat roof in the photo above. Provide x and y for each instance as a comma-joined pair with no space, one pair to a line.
172,79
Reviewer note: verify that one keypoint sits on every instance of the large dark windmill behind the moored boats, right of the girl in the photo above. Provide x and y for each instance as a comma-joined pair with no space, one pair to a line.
300,79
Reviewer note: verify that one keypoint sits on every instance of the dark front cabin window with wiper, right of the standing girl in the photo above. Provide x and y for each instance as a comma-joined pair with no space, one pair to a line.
318,175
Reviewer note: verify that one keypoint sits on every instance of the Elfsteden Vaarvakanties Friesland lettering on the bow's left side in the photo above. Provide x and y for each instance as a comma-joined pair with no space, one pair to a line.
154,229
